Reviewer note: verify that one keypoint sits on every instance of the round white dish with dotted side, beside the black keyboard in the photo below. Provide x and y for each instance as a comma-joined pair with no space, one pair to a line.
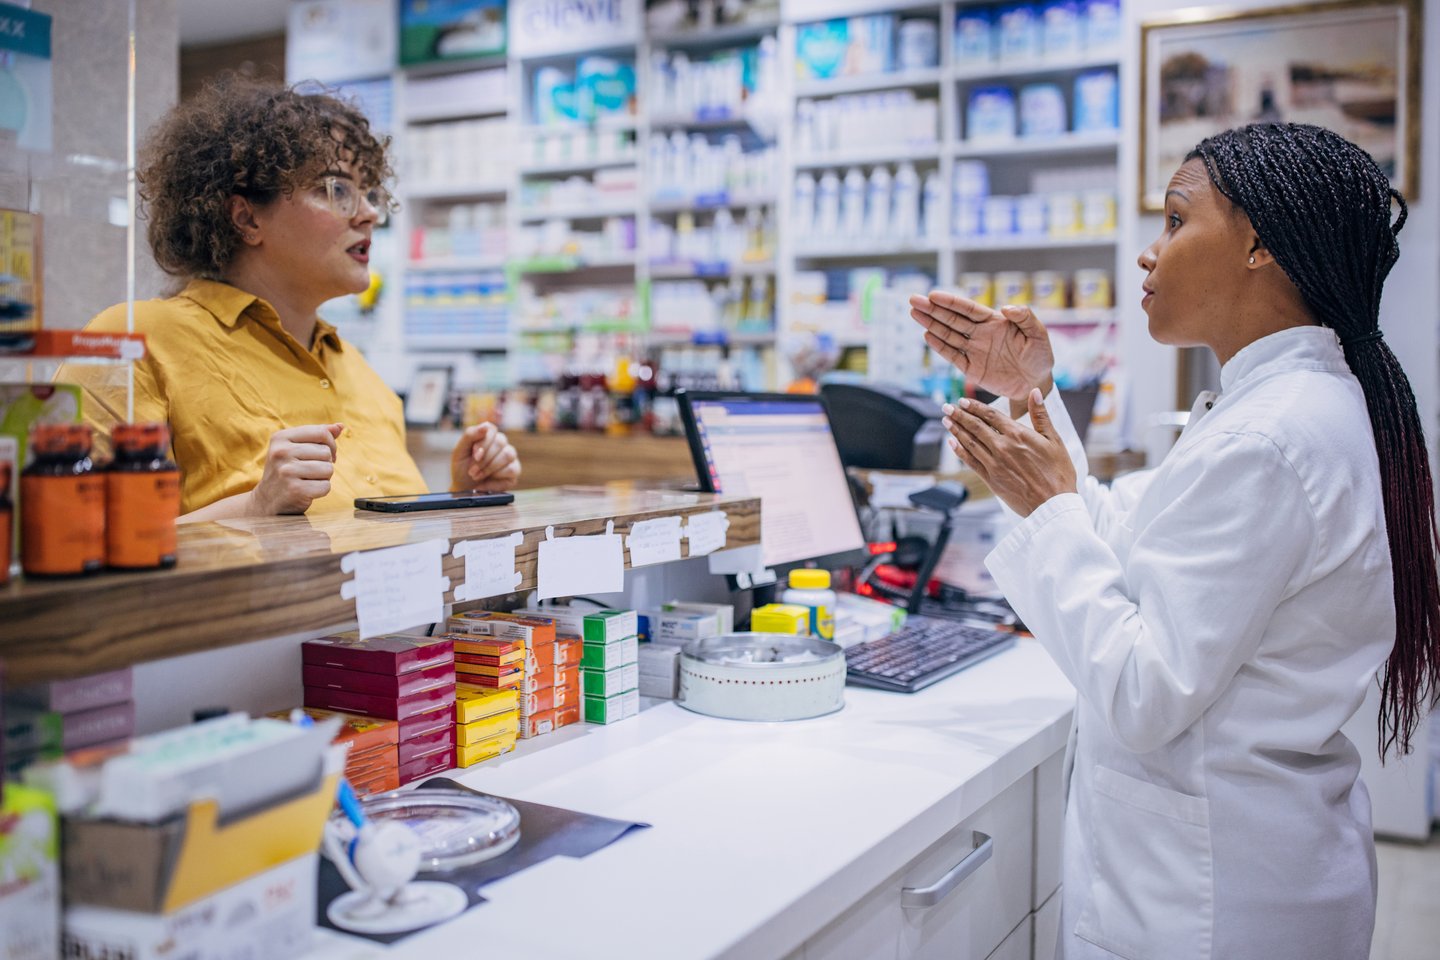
762,677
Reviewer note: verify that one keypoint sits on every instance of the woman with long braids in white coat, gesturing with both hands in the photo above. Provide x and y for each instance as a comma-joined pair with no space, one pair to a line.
1223,615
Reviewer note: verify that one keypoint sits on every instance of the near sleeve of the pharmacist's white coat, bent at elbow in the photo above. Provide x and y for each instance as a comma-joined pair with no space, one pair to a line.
1151,644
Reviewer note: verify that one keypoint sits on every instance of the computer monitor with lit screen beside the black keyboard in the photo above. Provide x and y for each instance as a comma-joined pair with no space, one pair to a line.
781,450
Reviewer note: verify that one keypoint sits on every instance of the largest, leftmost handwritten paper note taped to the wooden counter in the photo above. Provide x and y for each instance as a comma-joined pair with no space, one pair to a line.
397,588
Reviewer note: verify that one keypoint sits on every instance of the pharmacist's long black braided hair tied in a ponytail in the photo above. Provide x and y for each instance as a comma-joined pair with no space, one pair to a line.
1323,209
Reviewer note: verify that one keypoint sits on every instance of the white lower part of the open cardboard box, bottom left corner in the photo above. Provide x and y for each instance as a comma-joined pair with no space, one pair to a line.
270,915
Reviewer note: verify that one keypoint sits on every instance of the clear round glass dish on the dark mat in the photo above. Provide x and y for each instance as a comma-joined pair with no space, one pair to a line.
457,828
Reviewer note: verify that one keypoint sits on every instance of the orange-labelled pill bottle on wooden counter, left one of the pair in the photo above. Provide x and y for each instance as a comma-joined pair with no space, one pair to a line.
63,504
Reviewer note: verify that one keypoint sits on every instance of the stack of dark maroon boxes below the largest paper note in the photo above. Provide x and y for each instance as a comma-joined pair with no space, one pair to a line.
410,680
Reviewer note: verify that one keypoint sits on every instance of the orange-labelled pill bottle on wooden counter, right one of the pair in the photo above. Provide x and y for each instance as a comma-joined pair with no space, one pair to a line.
142,499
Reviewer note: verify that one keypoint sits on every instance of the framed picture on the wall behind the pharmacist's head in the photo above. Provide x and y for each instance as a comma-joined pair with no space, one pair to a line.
1351,67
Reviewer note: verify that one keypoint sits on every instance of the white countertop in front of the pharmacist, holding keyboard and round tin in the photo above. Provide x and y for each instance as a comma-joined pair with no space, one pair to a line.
761,834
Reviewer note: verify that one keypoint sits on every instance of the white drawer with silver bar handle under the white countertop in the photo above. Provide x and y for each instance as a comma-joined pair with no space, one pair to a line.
968,922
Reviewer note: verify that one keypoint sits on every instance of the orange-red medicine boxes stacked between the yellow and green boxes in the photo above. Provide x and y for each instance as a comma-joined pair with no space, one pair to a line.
551,677
